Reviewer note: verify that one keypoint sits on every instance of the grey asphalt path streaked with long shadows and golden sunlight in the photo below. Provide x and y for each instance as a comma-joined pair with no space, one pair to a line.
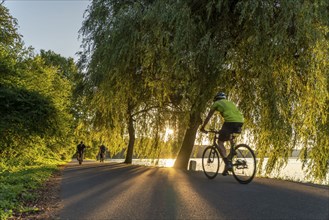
118,191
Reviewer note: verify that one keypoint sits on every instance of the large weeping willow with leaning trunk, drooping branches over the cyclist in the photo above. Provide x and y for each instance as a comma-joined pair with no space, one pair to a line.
270,56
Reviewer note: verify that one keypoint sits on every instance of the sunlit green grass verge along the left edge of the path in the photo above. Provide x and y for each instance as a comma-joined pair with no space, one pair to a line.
18,182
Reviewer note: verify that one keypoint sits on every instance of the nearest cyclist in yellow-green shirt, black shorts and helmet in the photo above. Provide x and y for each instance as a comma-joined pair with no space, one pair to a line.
233,121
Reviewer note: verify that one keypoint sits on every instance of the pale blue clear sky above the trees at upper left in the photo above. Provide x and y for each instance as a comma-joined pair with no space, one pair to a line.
50,24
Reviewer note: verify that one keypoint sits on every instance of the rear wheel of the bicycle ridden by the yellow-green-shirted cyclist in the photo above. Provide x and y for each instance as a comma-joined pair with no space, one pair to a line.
244,164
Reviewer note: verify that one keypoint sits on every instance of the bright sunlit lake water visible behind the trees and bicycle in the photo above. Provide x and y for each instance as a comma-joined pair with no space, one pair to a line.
292,171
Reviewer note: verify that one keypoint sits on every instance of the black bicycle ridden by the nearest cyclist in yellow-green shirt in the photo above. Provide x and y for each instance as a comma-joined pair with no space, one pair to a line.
242,157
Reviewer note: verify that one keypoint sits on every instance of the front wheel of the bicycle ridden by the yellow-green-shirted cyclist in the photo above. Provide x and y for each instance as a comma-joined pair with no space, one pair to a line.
210,162
